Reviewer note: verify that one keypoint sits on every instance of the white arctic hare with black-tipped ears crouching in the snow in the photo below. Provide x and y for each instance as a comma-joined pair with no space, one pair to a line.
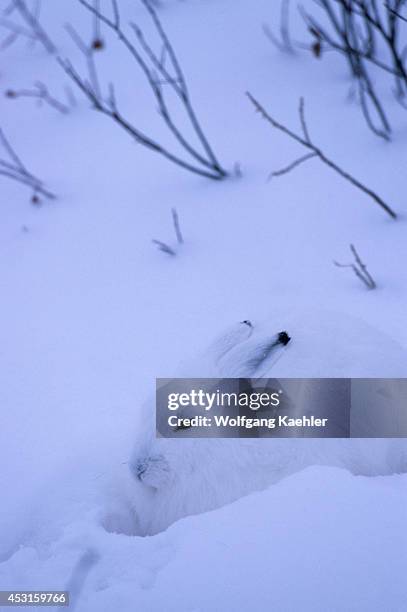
173,478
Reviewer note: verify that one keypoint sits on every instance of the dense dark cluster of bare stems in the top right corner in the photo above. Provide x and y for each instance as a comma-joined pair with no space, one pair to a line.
360,30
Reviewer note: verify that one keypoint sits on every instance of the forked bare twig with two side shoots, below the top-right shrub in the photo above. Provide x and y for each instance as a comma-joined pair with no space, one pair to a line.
315,152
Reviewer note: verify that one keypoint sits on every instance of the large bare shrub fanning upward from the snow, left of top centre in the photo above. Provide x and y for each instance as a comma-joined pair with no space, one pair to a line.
163,72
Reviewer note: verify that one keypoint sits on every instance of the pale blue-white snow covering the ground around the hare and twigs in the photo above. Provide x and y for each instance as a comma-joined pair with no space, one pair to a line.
92,312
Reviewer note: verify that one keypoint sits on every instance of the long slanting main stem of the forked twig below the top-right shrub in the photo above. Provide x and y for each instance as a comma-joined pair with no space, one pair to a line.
317,152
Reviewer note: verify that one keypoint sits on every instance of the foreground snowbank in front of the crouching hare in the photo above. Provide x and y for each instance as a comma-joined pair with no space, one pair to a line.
319,540
